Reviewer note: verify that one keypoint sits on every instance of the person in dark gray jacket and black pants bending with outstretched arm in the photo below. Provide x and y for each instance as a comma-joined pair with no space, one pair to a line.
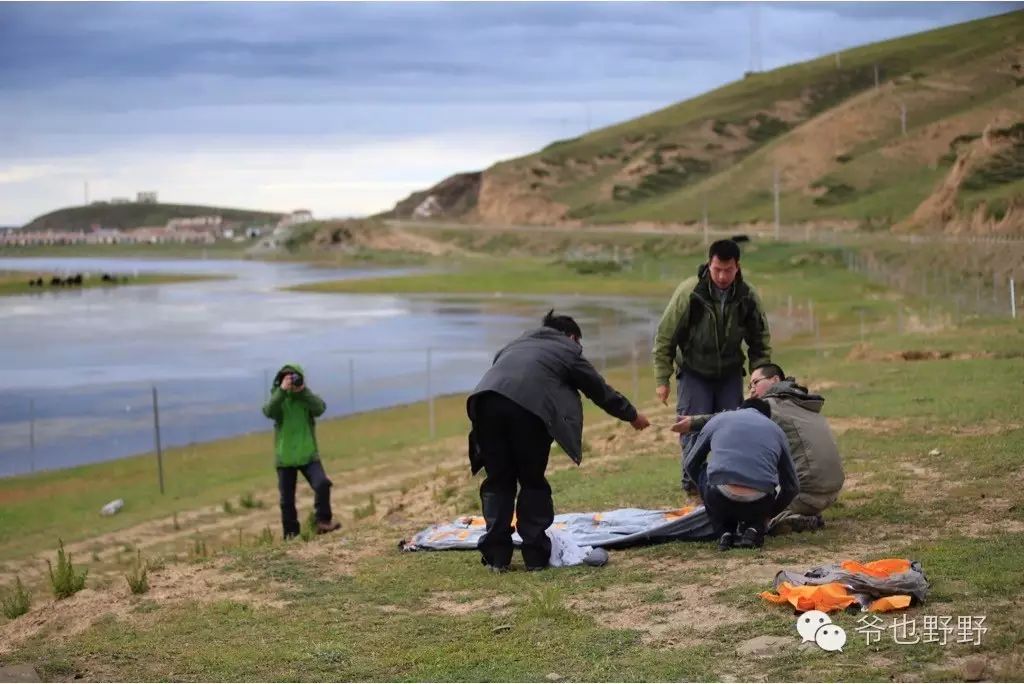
529,398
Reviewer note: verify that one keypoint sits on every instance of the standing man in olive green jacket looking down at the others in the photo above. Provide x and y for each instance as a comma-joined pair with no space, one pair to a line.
700,339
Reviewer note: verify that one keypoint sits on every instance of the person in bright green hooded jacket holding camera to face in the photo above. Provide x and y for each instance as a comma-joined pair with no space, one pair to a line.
294,409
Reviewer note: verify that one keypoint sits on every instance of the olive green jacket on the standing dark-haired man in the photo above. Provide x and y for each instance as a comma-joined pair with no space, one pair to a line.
695,336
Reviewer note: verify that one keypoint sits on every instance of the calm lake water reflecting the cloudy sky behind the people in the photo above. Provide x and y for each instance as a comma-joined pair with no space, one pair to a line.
77,367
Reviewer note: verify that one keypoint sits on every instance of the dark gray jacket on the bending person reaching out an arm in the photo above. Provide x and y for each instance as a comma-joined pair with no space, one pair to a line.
543,371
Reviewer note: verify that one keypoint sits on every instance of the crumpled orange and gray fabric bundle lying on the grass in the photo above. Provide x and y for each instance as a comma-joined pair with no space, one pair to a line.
890,584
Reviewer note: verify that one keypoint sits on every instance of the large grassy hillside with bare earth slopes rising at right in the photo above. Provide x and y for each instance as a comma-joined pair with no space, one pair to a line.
835,140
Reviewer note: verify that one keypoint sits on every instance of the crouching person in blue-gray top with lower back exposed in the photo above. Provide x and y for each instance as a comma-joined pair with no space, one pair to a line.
739,460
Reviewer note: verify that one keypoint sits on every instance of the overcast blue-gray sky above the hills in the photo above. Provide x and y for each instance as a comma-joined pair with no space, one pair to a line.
347,108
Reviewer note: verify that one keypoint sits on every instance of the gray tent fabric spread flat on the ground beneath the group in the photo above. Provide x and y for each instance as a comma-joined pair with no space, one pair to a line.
611,530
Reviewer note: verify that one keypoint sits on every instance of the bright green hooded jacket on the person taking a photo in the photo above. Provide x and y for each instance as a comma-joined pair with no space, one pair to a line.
294,417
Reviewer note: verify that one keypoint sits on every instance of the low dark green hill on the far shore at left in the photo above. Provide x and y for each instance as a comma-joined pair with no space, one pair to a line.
135,216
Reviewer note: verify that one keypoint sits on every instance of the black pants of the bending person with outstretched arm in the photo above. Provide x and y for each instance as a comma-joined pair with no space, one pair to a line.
516,446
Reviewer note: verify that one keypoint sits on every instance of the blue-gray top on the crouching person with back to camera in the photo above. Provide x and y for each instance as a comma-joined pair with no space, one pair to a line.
746,448
